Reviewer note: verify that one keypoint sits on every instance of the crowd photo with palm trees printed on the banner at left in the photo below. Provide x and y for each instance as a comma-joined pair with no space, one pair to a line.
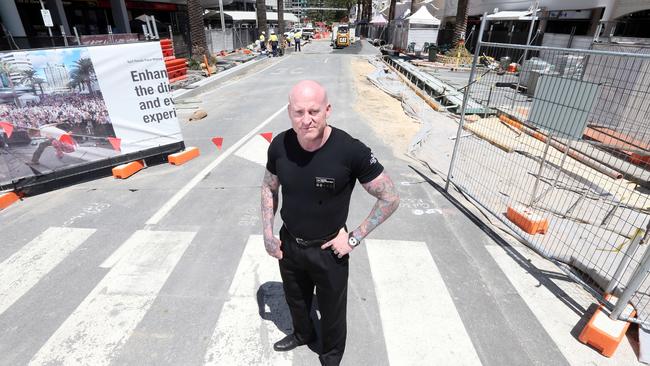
52,113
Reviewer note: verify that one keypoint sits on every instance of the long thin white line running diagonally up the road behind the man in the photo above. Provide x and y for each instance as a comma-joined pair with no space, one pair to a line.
155,219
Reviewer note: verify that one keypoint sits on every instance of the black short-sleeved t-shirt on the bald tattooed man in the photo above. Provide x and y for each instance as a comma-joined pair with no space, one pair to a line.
316,186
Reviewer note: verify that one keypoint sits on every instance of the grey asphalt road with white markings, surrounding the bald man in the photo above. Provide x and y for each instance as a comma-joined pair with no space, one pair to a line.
168,268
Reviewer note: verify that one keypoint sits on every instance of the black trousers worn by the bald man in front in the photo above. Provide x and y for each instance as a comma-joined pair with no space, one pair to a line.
302,269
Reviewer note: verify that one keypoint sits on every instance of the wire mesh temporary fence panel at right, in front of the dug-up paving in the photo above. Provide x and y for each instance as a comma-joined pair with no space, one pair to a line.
561,154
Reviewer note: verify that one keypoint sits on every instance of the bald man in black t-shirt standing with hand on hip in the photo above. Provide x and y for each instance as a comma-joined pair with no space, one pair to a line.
317,166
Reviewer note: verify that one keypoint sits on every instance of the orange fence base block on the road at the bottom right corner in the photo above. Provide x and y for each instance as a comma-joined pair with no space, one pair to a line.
603,333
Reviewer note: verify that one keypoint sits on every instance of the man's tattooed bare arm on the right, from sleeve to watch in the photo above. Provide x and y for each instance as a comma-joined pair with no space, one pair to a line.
383,189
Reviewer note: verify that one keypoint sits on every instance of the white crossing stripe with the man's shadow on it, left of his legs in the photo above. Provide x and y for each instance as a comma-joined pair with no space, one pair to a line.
242,336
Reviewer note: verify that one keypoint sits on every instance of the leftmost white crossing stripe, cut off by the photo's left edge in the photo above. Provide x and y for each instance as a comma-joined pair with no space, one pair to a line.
20,272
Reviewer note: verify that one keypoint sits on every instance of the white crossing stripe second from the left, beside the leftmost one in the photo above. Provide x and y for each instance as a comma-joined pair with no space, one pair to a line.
105,320
